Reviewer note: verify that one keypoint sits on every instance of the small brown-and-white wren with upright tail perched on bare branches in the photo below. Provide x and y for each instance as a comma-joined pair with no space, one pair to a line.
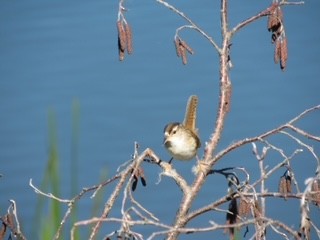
181,139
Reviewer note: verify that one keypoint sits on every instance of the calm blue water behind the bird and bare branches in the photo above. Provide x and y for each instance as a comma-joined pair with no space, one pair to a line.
53,53
